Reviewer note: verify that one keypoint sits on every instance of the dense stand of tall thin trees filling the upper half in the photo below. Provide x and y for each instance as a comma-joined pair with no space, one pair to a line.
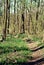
22,16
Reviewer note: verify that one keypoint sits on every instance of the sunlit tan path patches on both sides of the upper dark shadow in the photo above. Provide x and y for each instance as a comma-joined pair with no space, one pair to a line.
37,50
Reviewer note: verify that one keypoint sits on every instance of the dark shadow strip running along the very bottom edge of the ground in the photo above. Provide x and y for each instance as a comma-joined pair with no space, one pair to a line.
25,63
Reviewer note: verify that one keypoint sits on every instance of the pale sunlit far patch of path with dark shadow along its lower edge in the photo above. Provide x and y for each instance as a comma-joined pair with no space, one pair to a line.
34,46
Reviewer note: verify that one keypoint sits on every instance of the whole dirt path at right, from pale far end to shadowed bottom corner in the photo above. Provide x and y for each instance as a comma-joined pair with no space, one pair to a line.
37,53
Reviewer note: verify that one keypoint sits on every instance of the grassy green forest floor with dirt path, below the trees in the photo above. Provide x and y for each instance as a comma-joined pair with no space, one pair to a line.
22,50
